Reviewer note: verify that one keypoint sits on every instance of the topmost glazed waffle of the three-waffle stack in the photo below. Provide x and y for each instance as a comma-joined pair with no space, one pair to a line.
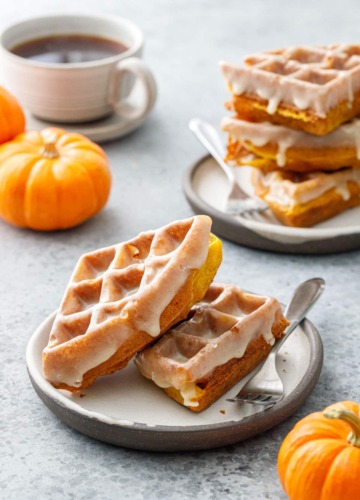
314,89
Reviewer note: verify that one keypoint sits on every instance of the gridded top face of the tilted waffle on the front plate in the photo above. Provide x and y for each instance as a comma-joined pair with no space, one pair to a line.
105,281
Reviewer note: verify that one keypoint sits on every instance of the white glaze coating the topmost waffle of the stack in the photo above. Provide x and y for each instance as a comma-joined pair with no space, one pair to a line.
315,84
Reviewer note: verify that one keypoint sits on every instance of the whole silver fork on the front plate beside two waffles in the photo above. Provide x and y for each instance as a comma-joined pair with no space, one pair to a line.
266,387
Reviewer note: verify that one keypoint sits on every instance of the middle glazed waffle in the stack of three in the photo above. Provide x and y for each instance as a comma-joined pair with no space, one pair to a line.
269,146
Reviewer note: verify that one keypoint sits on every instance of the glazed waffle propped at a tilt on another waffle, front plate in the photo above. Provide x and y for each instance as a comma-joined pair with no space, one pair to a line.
122,297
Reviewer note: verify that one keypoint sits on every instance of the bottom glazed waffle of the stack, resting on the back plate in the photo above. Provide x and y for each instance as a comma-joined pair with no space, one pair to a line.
305,199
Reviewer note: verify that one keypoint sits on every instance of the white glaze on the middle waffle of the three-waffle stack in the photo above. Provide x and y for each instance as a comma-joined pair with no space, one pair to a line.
262,133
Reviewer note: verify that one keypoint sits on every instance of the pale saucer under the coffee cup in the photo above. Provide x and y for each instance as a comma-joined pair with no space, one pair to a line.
106,129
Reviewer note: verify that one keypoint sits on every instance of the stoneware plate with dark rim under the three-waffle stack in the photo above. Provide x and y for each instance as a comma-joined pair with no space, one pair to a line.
206,187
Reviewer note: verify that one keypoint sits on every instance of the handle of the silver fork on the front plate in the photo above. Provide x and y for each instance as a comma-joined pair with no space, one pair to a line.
303,299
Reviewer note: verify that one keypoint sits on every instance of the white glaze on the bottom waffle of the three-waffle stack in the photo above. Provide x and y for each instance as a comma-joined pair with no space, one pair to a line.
288,193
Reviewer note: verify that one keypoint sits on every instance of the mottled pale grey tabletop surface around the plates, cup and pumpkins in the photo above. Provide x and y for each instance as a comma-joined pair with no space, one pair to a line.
185,39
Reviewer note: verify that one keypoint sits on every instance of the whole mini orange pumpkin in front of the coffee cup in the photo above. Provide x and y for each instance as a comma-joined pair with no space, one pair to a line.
52,179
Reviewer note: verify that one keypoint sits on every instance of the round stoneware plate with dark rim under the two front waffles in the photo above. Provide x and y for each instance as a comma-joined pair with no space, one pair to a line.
127,410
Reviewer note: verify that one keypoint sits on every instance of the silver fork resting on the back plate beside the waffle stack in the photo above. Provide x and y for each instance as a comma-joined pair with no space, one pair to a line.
238,202
